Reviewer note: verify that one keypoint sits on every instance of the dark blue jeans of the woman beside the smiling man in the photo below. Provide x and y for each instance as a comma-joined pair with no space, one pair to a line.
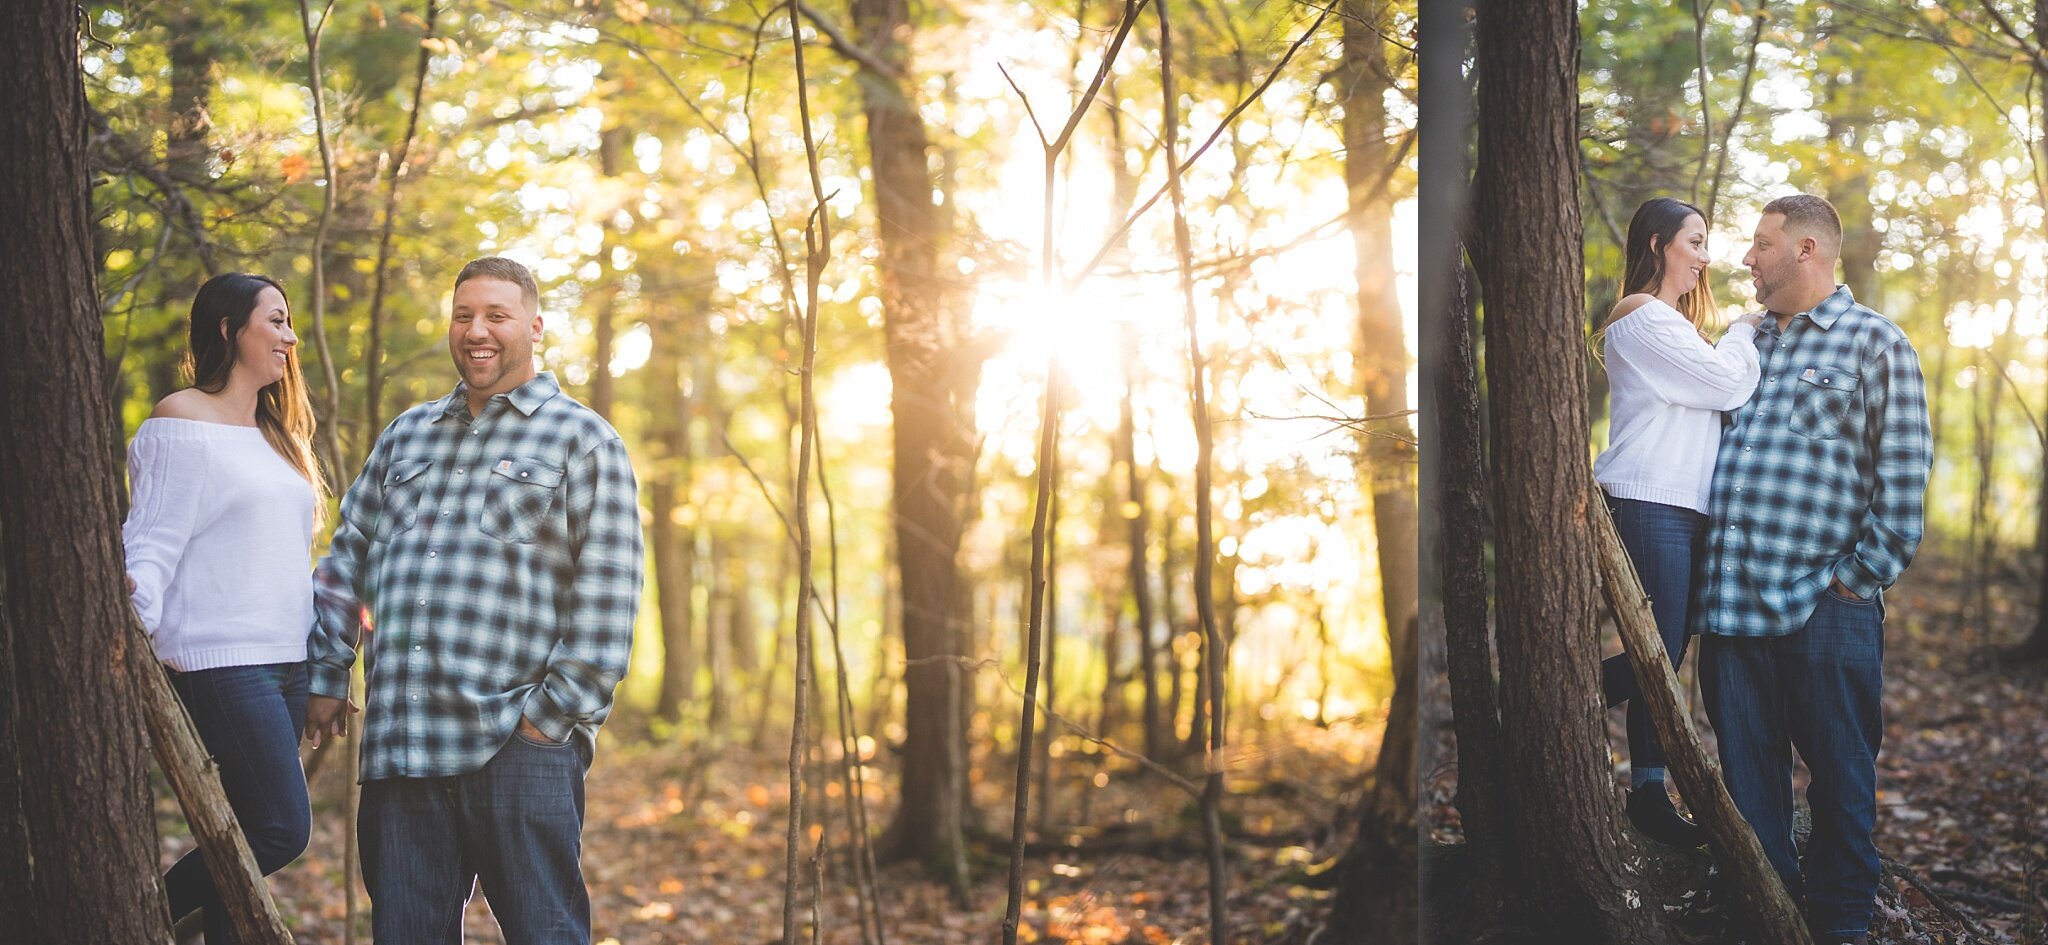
249,718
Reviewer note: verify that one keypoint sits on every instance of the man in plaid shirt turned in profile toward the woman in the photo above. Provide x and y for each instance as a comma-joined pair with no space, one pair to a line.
1816,511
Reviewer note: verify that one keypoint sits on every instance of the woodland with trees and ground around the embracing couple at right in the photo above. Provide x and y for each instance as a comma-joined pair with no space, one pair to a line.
1924,124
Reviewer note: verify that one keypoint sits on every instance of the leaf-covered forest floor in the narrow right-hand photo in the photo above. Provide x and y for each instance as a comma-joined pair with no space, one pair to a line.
1963,778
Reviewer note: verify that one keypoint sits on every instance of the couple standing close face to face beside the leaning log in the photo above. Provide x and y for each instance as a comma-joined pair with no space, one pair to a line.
1768,489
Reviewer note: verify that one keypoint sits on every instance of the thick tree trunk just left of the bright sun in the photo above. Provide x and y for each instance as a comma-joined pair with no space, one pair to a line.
933,456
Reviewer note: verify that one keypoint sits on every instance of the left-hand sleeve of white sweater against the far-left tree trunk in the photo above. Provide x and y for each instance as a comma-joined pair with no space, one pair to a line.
167,481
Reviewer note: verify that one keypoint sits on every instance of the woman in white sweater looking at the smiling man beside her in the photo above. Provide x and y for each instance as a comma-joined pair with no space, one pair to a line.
224,501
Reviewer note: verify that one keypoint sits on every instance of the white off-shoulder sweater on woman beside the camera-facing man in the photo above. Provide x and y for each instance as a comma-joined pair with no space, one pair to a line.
220,540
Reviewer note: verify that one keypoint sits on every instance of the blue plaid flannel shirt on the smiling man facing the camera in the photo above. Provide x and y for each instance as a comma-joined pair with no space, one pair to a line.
501,563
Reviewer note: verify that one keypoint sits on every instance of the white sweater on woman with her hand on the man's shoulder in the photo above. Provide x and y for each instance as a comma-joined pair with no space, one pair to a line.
1666,393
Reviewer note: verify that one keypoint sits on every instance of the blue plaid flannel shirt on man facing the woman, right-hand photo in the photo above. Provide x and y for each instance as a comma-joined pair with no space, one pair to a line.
1822,475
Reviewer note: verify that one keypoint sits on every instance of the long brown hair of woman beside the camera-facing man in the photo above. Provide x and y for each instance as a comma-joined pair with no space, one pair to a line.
284,409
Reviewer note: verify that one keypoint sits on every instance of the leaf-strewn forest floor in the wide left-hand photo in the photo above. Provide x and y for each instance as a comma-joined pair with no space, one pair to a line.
687,846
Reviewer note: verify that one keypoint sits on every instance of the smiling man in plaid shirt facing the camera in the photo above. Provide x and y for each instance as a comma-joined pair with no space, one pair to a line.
495,538
